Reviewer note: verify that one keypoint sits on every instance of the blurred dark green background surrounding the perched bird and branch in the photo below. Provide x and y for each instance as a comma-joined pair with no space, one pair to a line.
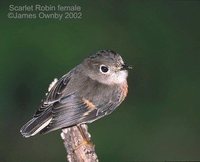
160,118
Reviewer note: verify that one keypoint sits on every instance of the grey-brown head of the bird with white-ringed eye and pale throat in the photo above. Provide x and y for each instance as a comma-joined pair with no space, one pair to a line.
106,67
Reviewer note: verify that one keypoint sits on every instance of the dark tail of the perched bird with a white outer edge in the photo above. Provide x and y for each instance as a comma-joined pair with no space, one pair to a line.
35,125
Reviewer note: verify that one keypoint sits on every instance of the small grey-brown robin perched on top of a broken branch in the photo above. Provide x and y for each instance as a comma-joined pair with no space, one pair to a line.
90,91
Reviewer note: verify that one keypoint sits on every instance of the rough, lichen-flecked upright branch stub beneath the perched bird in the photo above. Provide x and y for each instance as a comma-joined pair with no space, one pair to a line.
78,145
